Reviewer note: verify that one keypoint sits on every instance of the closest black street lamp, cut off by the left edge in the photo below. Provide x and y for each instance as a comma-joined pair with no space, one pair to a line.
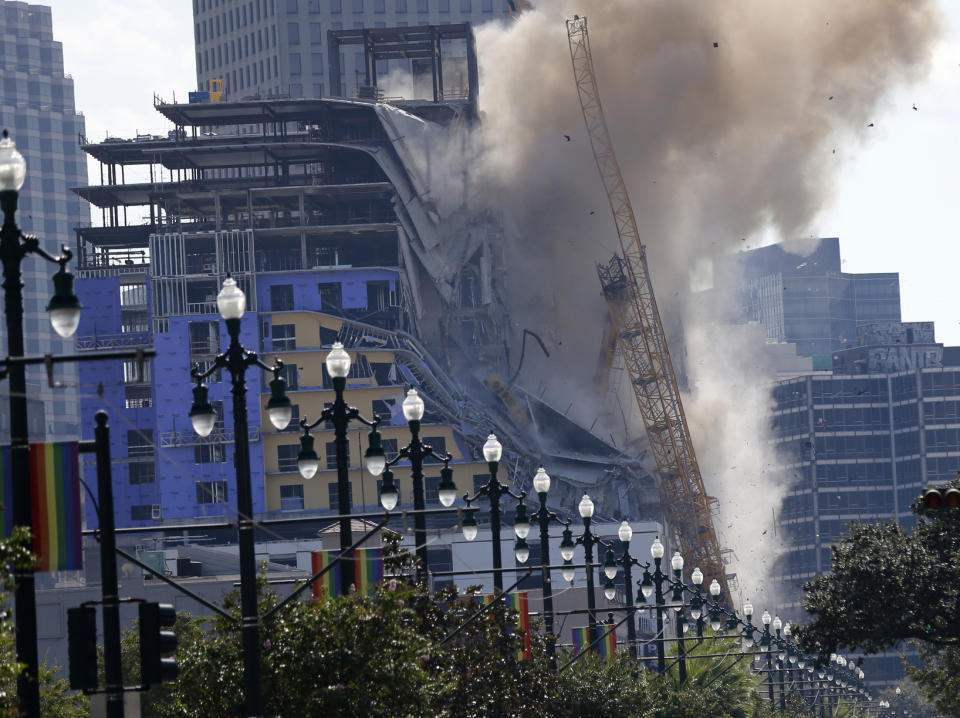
64,310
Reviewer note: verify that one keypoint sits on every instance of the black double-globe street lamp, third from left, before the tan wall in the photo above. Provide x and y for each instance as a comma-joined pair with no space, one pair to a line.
340,414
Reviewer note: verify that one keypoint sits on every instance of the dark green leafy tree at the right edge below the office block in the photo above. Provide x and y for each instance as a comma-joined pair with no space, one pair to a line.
889,587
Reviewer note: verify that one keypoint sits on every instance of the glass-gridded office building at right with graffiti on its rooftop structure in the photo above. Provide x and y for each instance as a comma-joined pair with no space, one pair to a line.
860,443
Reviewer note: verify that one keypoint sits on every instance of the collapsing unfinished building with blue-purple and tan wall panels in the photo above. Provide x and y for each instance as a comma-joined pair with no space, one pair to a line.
325,211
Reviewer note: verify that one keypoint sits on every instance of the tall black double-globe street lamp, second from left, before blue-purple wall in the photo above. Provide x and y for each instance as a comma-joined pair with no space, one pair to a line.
232,304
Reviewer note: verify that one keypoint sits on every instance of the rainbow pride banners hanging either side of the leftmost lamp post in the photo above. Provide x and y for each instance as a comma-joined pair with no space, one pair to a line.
55,503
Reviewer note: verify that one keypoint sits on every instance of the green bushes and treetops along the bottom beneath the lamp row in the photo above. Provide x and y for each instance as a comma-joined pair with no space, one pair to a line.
388,654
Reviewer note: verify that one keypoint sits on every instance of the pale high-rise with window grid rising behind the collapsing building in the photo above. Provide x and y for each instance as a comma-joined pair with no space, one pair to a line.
271,48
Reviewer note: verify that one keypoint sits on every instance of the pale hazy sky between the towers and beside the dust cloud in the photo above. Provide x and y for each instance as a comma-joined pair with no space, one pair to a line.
895,209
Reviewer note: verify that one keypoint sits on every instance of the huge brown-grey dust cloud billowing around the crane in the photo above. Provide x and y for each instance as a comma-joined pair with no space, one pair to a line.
723,116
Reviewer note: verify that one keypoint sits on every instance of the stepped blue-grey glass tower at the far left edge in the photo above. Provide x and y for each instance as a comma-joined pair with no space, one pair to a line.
37,108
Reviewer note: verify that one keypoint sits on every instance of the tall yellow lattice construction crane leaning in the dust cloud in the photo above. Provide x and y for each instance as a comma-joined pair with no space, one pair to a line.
641,342
